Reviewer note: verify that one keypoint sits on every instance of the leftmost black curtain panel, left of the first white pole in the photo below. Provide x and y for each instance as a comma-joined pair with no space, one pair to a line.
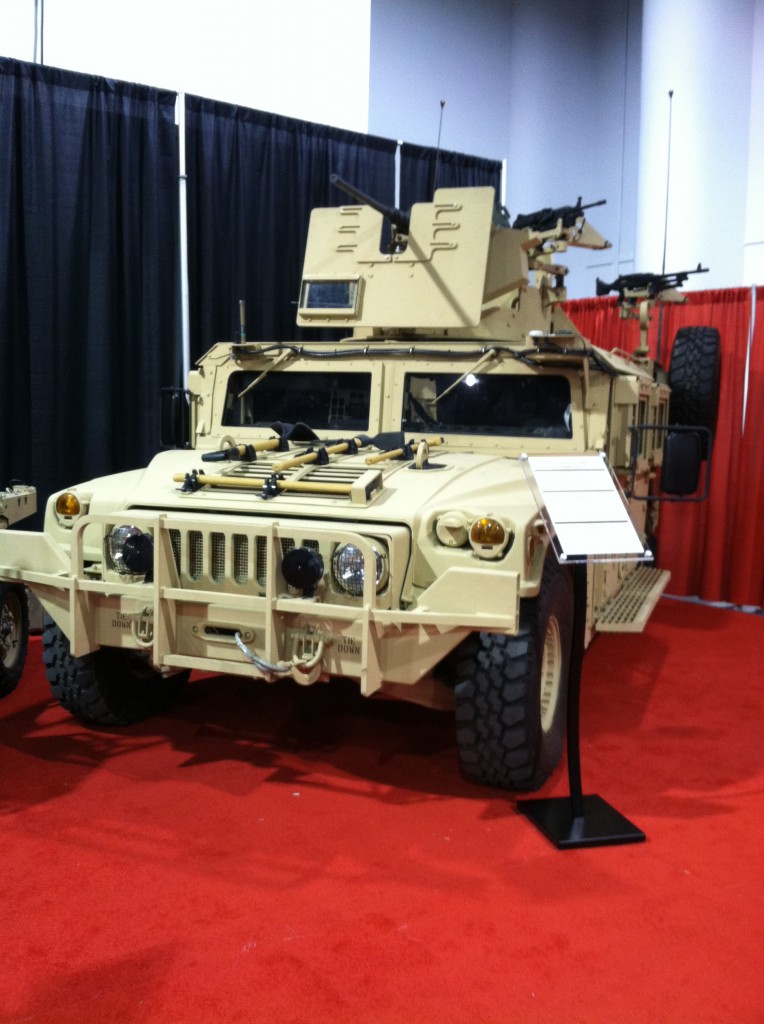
89,273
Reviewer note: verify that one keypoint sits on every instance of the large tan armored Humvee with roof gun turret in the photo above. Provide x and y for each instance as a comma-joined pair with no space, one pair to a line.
359,508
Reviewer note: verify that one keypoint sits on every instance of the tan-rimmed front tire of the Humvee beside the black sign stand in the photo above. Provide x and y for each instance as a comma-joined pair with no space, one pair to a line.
512,692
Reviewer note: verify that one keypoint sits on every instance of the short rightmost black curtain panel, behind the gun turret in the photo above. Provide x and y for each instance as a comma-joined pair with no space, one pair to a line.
425,169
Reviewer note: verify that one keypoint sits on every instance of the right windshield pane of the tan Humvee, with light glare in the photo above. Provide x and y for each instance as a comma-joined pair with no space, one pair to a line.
517,406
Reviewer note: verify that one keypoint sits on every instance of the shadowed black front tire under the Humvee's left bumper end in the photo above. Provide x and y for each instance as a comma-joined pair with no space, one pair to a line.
111,687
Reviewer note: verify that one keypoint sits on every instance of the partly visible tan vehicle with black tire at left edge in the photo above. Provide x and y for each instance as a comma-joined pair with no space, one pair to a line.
17,502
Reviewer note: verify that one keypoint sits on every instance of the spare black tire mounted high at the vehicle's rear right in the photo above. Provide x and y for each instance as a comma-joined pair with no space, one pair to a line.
694,376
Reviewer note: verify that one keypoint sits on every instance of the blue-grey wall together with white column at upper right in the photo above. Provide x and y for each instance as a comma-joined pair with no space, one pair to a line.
574,94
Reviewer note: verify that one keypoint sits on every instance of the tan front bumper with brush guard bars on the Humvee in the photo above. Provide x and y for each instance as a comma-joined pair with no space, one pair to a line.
219,578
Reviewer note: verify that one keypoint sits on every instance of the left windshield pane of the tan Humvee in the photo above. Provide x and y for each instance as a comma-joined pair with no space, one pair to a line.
326,402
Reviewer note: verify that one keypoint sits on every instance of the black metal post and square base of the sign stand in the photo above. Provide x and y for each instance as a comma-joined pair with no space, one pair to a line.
579,821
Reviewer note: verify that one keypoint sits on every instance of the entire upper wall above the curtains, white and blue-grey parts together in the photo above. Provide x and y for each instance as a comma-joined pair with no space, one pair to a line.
572,94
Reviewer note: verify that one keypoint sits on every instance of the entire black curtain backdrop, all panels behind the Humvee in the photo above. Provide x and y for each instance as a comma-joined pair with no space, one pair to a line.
90,252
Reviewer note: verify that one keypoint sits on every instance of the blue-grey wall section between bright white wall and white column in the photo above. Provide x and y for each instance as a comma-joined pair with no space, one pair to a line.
554,88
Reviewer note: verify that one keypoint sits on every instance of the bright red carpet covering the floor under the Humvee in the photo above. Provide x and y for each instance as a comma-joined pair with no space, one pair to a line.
306,857
